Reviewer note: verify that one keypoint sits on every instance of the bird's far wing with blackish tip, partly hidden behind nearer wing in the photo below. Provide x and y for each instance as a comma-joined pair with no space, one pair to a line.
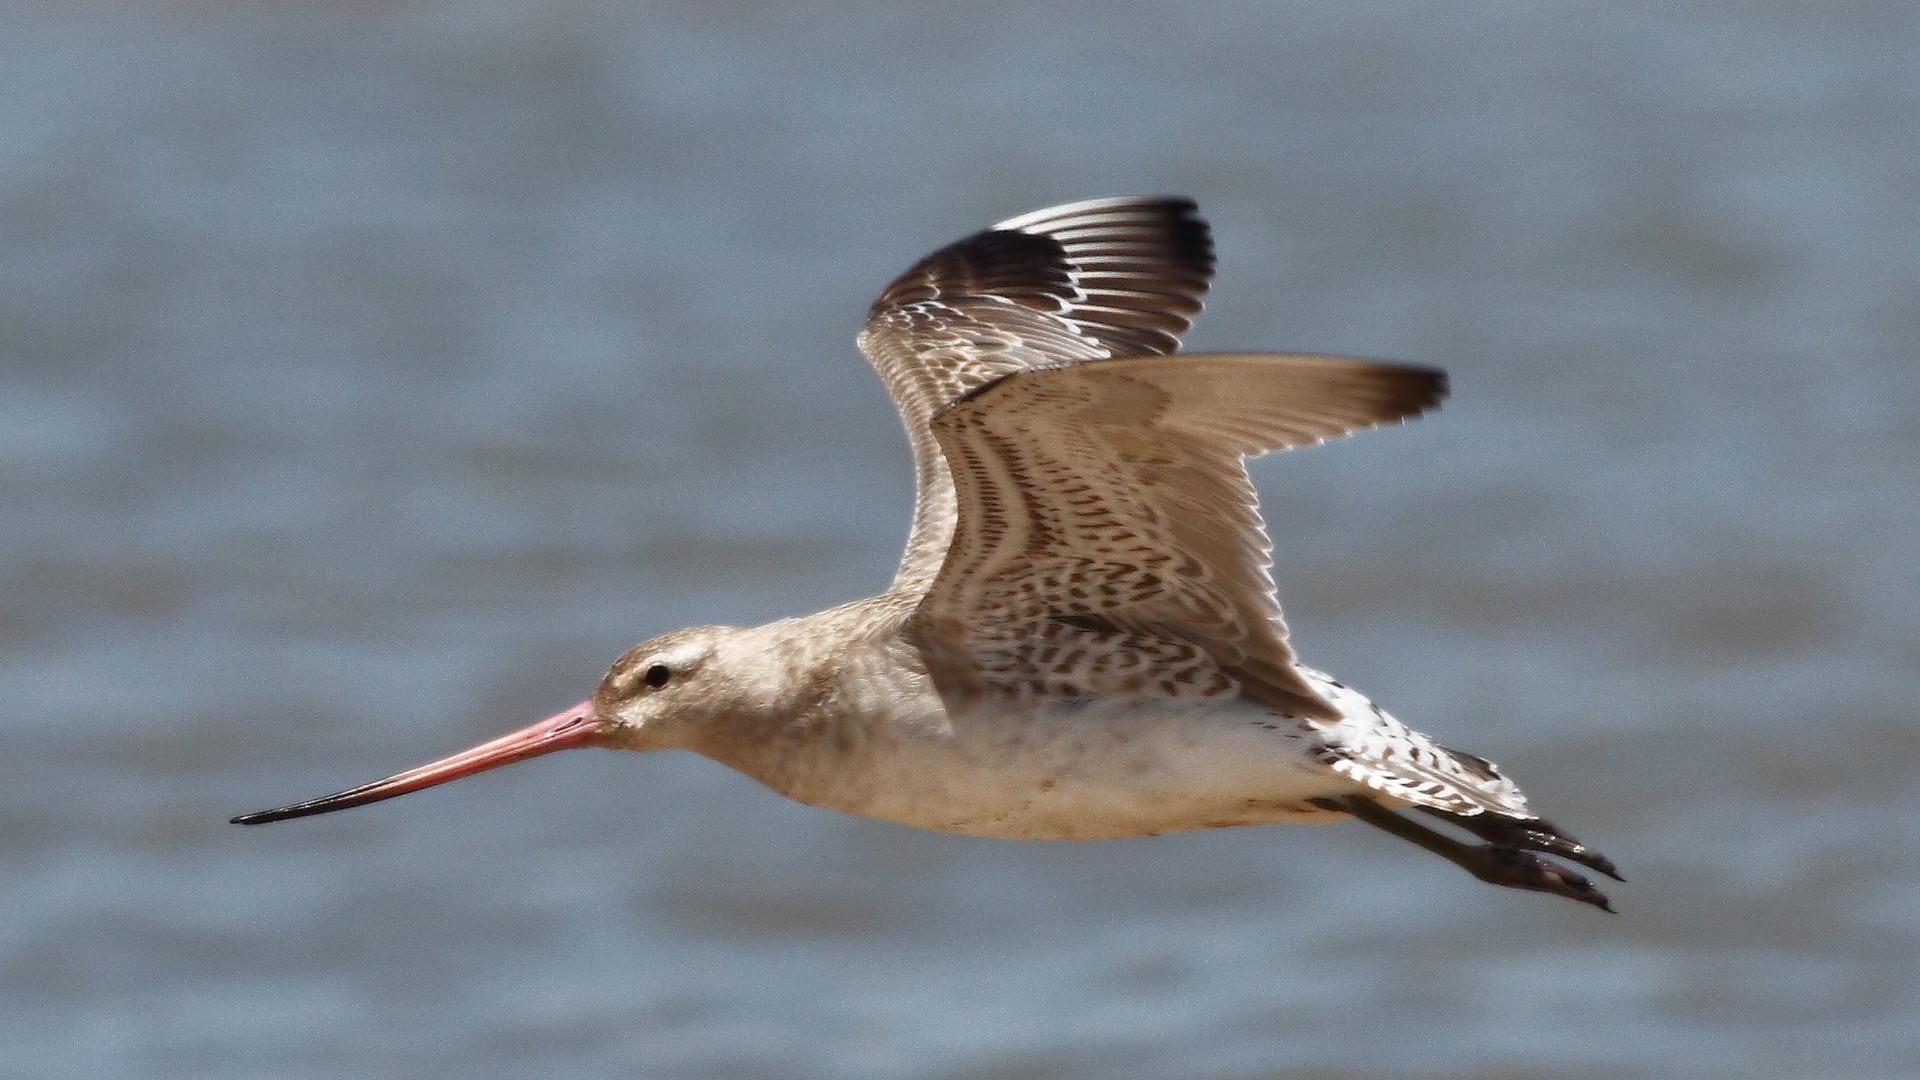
1084,282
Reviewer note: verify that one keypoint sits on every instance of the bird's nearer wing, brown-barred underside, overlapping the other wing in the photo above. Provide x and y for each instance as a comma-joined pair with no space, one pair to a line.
1109,541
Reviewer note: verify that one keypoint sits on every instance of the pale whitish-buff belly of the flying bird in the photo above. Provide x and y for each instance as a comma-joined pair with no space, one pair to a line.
1086,772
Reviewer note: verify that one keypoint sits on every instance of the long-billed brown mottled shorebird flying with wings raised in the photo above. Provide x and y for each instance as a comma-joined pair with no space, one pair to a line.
1084,637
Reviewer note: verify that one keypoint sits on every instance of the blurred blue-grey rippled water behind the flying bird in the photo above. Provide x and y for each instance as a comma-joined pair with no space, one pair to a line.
373,374
